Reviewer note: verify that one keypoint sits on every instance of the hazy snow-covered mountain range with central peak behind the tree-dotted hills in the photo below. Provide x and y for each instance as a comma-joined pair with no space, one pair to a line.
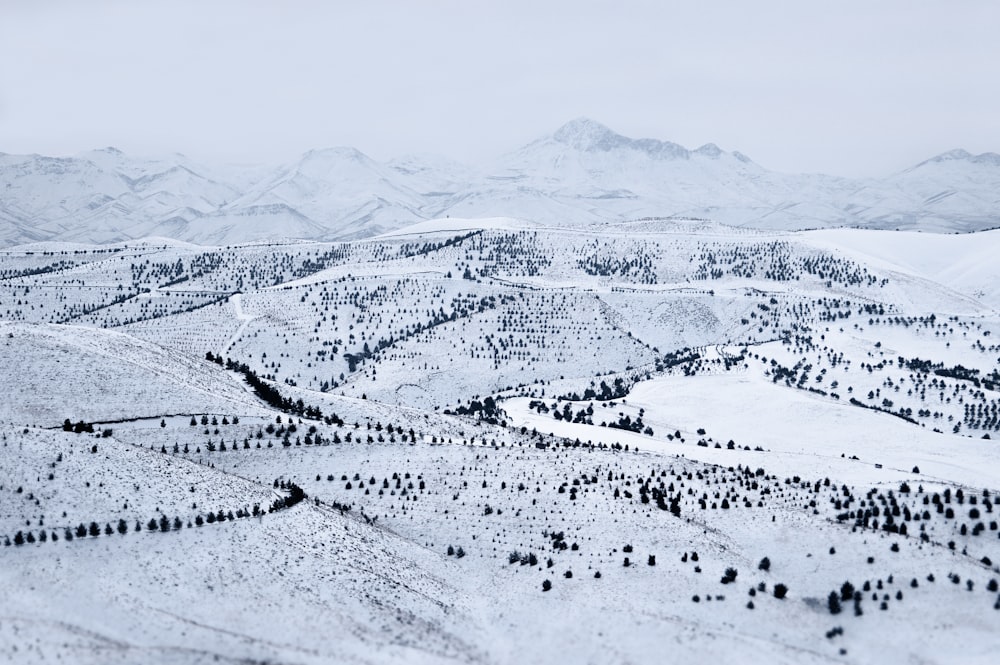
582,173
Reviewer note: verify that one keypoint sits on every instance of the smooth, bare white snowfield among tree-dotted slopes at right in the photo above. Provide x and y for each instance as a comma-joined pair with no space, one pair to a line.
801,433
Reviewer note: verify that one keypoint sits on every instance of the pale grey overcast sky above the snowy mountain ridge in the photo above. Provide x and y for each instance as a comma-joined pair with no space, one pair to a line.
849,88
